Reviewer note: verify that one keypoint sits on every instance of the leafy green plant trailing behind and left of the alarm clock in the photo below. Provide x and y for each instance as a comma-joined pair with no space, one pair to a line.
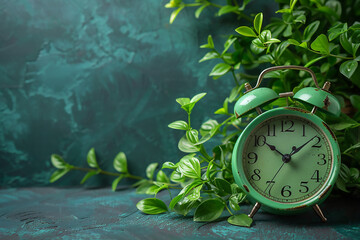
318,34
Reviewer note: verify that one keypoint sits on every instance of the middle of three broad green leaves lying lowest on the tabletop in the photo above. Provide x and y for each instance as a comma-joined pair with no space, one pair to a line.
209,210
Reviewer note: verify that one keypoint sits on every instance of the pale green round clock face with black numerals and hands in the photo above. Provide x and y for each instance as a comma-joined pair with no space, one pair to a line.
287,158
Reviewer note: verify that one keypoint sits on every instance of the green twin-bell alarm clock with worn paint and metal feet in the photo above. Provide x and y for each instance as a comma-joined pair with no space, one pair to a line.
287,159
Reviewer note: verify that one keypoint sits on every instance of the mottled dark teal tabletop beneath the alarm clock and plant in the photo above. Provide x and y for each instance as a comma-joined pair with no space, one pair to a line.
44,213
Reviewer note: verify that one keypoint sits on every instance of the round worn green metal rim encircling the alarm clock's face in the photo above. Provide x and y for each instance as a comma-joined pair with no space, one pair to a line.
272,205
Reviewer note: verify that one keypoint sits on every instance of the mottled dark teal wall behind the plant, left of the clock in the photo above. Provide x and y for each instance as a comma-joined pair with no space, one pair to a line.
104,74
